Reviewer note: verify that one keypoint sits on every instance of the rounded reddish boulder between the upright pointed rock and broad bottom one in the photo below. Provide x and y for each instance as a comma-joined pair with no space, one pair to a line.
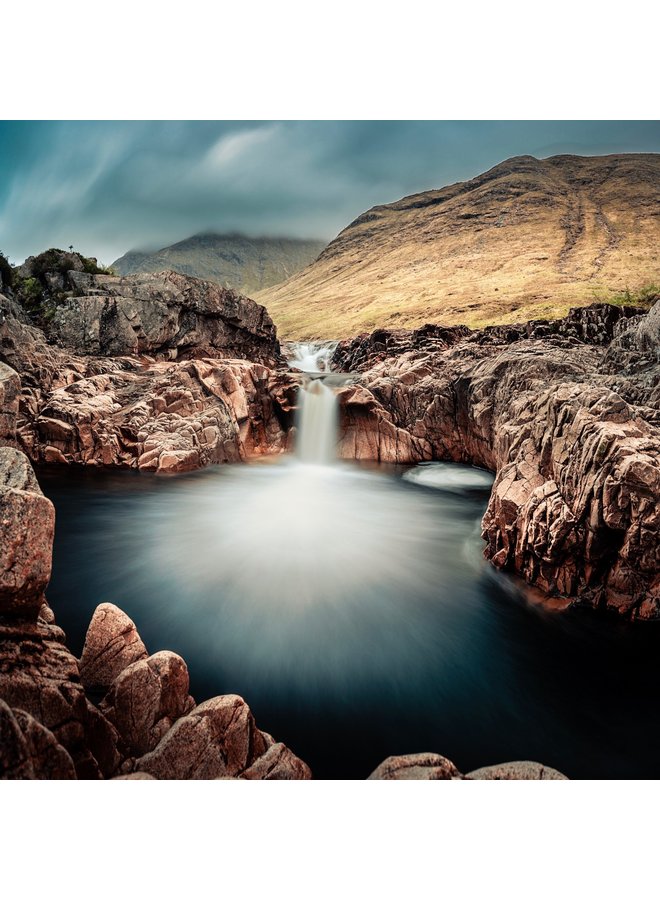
147,698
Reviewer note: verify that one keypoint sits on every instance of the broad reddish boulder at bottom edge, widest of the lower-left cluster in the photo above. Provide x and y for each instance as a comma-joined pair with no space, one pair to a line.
218,738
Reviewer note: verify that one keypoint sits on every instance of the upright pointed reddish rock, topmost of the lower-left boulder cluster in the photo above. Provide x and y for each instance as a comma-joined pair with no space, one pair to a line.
112,643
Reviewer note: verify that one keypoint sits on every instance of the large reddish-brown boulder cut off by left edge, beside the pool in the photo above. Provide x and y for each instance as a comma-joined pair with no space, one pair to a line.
27,519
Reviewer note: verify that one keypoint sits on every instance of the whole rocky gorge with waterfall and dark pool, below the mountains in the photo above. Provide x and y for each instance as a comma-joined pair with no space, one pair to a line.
350,606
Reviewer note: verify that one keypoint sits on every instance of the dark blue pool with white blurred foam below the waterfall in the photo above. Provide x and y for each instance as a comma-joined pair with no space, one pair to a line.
354,613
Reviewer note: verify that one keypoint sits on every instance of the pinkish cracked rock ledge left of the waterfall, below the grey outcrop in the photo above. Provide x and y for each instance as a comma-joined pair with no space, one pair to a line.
156,416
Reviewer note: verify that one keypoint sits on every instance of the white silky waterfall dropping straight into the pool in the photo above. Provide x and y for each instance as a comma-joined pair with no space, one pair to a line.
317,423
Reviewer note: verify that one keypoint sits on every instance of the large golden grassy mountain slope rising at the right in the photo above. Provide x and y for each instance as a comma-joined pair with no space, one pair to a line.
527,239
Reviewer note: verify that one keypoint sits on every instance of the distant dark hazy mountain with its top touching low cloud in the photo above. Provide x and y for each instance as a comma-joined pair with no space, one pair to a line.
233,260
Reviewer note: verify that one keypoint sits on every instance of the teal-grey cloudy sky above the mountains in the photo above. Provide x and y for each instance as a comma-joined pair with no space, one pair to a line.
110,186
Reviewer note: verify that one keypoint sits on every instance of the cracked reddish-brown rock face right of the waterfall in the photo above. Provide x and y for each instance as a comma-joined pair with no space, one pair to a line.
567,414
